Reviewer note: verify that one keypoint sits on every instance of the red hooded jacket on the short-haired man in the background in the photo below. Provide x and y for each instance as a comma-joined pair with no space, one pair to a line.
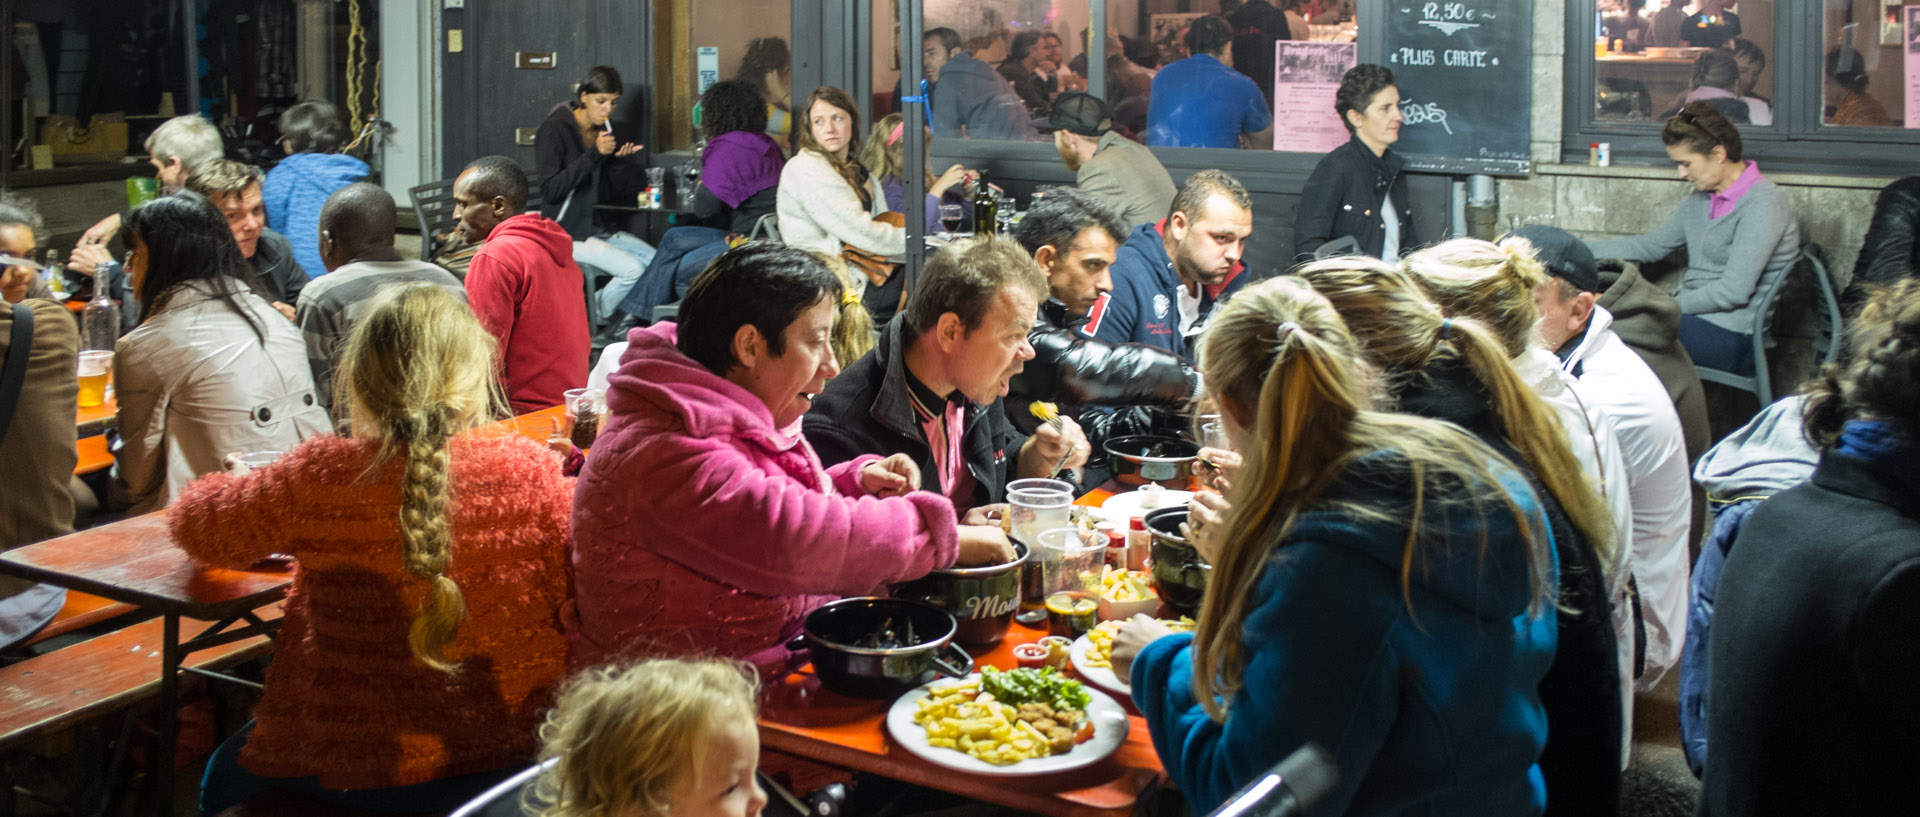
529,292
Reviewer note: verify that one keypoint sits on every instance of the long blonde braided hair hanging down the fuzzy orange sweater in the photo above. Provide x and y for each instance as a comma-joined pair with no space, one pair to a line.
418,371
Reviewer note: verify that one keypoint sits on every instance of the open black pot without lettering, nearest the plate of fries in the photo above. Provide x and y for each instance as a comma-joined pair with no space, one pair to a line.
915,642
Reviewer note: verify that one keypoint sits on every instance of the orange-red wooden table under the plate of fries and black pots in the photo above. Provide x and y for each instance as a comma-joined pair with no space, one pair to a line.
811,722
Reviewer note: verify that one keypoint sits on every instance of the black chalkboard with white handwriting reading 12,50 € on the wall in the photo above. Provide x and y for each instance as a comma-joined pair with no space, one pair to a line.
1466,80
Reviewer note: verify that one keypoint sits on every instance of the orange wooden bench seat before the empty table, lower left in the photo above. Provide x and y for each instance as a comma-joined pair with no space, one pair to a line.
105,674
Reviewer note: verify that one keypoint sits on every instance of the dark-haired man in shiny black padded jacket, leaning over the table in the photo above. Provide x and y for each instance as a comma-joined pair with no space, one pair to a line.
1109,388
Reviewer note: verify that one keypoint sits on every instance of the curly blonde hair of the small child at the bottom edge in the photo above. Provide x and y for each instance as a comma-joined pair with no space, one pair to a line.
627,735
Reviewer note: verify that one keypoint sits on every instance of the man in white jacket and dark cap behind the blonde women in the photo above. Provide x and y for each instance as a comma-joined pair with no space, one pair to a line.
1579,331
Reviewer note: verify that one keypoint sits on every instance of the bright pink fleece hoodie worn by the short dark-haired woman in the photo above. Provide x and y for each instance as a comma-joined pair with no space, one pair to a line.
700,528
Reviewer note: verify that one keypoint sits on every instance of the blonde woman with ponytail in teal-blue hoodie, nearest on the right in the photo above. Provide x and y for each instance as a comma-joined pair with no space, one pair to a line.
1383,588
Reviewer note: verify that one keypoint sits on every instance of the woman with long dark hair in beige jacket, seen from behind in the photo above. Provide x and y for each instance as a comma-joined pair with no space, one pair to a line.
212,369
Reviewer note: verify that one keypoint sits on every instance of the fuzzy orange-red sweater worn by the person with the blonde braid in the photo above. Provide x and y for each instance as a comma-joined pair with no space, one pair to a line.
345,699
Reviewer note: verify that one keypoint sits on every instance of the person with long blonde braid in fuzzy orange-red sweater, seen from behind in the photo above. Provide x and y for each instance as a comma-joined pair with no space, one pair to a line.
421,636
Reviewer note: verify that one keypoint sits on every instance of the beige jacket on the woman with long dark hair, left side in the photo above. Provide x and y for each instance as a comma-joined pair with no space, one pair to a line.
197,385
